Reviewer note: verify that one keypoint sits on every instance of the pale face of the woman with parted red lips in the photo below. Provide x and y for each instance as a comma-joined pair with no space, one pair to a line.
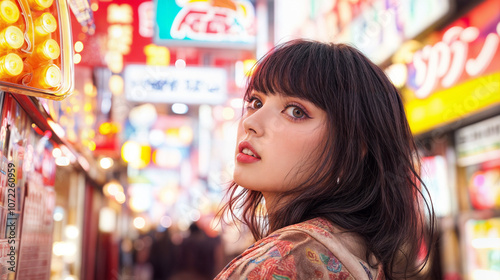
278,142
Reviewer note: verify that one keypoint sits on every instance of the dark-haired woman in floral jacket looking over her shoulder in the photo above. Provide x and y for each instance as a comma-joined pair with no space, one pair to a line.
324,141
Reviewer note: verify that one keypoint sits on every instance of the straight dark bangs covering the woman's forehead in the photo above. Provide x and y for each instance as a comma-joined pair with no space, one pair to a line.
288,70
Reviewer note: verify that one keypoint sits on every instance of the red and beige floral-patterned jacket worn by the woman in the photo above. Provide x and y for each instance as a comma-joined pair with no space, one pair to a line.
313,249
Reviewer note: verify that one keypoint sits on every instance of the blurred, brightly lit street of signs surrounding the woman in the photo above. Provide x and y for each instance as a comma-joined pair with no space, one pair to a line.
121,175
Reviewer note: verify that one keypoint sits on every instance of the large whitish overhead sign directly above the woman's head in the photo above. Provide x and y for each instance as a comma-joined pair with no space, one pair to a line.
375,27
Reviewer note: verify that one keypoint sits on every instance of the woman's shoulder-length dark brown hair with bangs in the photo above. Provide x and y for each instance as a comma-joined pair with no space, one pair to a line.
367,180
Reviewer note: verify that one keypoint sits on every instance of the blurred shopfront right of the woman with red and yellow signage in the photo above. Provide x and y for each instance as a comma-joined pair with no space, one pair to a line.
452,101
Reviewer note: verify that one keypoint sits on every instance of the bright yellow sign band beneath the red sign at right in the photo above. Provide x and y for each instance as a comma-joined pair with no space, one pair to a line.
452,104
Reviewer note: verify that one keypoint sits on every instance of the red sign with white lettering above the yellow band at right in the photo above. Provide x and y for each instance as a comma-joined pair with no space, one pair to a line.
470,47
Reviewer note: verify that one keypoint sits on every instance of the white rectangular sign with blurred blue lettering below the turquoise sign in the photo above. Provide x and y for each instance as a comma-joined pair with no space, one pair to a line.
163,84
